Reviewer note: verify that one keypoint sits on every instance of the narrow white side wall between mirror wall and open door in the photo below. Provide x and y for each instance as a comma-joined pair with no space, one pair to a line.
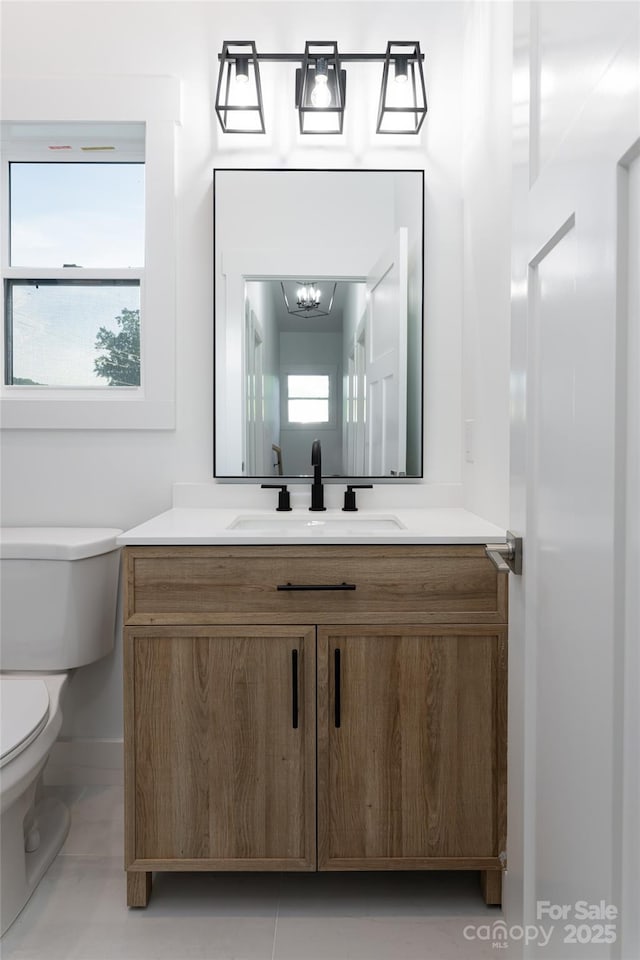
486,173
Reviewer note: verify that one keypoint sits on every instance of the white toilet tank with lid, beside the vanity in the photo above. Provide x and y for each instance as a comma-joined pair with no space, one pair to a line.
59,593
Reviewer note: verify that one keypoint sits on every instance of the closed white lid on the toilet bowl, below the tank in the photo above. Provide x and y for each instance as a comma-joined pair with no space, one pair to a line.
24,710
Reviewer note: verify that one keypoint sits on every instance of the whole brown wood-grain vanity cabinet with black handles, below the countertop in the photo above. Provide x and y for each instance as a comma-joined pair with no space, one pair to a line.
274,724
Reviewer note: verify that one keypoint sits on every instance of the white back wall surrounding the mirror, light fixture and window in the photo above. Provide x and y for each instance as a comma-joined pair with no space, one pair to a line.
121,478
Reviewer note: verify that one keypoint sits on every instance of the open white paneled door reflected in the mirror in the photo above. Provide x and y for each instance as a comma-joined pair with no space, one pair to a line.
386,361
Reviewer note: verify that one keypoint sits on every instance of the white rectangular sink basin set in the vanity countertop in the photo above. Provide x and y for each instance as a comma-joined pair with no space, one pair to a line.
307,524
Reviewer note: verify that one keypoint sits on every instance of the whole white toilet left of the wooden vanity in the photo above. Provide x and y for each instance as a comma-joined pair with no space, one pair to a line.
59,589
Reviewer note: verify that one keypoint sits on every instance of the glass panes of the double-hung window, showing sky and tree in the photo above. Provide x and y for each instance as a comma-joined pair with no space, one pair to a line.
73,225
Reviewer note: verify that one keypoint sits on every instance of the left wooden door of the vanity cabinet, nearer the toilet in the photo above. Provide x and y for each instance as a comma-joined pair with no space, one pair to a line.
220,756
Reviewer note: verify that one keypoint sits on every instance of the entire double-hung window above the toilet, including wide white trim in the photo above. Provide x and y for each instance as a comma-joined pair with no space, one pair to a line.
87,252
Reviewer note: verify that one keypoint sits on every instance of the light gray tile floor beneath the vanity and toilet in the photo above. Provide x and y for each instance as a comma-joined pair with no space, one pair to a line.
78,911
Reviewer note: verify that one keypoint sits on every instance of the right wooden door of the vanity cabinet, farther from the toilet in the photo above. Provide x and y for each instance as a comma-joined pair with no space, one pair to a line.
411,747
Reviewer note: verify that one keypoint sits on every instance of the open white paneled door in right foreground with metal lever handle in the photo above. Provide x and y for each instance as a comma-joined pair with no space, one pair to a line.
573,787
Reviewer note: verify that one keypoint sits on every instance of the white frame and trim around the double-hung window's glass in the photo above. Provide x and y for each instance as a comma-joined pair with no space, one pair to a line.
155,101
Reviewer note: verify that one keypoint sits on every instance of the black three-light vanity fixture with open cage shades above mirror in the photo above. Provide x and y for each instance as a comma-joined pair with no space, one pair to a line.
320,87
